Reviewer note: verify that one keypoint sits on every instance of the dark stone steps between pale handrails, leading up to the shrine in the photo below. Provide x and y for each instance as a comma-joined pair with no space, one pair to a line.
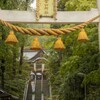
38,92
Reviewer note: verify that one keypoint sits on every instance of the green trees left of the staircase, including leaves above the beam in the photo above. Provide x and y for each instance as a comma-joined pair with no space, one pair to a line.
13,82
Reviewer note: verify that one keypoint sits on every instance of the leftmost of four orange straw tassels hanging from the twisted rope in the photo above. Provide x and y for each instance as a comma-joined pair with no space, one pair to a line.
11,39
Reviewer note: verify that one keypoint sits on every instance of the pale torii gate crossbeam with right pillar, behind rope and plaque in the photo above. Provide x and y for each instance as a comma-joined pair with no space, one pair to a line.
63,17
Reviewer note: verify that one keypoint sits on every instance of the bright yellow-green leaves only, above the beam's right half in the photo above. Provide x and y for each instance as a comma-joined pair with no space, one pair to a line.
80,5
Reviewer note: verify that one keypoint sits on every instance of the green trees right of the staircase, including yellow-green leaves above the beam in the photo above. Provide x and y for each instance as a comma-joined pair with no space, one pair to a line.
77,77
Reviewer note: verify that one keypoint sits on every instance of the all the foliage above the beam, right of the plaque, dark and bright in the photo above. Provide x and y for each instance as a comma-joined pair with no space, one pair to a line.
76,5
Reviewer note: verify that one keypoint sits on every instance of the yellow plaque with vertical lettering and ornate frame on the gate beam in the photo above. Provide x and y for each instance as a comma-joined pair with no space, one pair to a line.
46,8
